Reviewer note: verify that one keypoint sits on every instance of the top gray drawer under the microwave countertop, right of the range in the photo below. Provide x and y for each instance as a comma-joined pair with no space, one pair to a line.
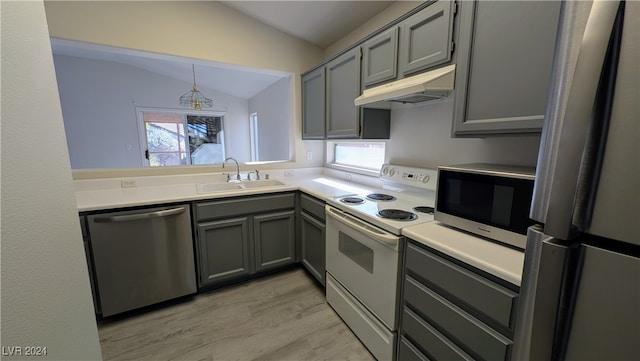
473,290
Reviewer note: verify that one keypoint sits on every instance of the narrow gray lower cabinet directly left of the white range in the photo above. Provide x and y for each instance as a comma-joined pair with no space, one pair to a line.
312,236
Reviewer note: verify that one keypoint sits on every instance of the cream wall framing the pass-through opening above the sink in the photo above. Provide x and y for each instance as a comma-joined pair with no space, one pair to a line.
205,30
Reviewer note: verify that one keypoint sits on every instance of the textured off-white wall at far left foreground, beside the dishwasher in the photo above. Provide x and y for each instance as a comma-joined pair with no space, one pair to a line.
46,297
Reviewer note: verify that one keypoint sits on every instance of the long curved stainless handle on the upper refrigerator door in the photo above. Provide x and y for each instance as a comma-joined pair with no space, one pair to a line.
578,64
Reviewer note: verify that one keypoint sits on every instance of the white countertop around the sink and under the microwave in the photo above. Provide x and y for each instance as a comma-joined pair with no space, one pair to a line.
95,195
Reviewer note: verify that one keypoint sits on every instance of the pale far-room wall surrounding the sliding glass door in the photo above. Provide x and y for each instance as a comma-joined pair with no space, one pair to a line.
99,100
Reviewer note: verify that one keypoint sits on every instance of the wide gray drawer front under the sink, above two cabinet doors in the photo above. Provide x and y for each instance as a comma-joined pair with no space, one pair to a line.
250,205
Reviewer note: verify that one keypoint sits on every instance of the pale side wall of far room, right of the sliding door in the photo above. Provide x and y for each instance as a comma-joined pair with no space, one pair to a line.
273,106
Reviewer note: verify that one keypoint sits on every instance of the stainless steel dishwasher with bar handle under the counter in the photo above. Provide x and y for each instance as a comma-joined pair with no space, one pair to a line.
142,257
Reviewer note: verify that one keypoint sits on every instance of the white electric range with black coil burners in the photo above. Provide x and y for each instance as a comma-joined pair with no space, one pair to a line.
364,247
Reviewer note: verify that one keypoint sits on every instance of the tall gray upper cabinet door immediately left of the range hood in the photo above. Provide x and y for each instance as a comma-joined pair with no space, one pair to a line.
343,86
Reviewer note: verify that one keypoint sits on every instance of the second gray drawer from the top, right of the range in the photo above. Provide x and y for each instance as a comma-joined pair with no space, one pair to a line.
473,336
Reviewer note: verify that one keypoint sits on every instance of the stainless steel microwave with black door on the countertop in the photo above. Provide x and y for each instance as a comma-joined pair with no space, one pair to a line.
486,199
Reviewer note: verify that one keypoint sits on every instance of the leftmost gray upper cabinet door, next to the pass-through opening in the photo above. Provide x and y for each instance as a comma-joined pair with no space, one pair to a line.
313,104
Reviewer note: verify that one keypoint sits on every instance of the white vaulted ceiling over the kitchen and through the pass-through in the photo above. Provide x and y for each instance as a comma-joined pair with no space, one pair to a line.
318,22
